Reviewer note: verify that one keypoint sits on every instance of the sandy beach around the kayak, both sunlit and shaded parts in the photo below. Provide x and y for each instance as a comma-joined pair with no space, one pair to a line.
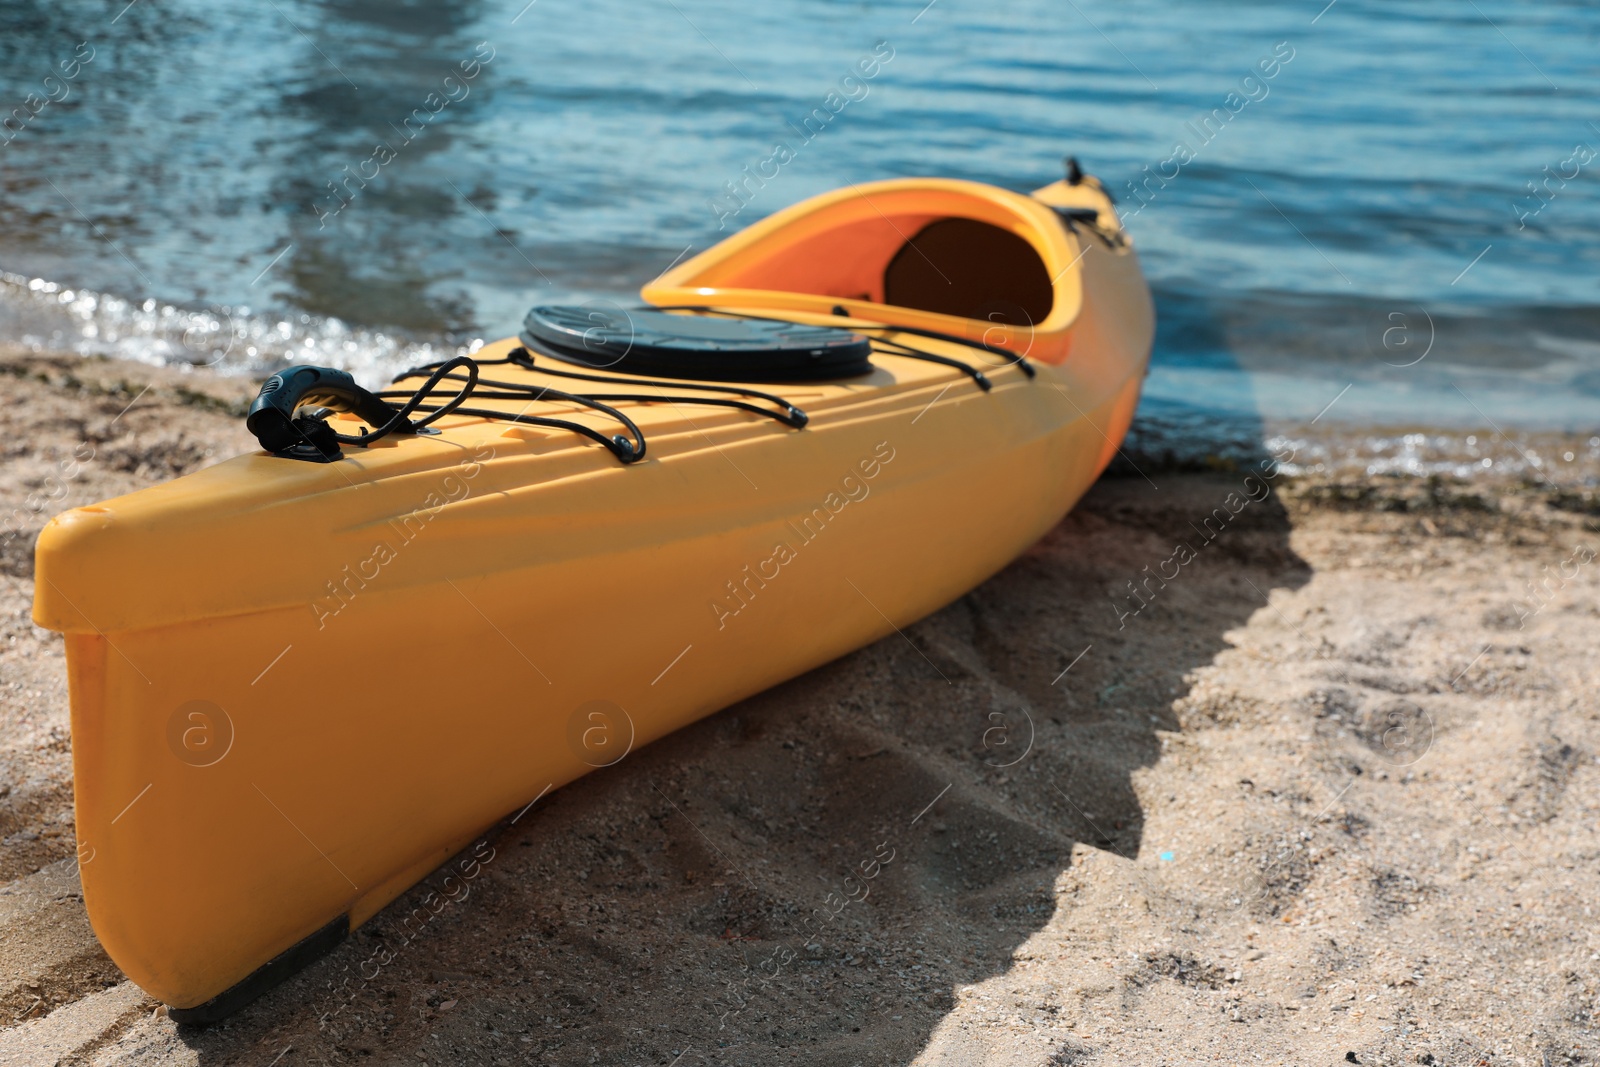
1329,799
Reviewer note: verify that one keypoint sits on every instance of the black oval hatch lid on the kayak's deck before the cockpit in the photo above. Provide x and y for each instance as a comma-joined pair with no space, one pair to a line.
695,346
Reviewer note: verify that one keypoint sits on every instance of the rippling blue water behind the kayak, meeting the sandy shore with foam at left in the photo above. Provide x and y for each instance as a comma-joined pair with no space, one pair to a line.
1367,206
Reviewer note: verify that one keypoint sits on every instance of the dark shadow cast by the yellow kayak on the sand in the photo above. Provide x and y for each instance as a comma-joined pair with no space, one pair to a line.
817,871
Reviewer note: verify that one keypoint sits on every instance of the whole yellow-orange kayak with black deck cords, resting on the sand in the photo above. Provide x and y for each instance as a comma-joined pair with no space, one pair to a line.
306,677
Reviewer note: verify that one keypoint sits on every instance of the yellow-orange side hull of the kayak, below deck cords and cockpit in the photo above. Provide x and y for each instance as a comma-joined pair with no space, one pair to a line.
298,689
